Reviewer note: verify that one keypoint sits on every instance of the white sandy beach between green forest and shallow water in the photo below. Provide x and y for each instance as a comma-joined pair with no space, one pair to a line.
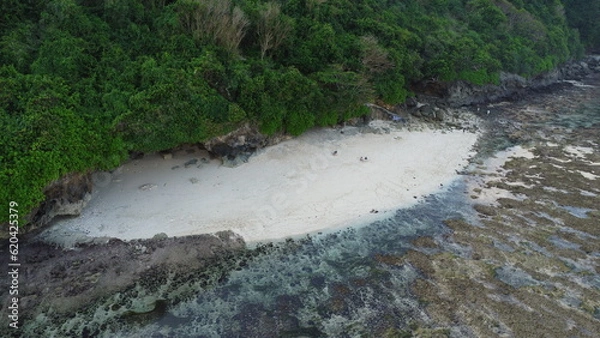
297,187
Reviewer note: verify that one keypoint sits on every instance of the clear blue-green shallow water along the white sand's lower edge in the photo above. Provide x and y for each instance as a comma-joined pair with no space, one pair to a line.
334,285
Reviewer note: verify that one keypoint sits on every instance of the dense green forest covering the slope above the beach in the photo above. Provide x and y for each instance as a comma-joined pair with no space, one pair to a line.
84,82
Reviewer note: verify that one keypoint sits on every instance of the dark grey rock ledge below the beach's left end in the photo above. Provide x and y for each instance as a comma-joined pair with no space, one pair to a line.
130,280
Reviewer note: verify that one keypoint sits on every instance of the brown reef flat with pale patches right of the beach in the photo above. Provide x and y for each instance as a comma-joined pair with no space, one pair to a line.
529,263
